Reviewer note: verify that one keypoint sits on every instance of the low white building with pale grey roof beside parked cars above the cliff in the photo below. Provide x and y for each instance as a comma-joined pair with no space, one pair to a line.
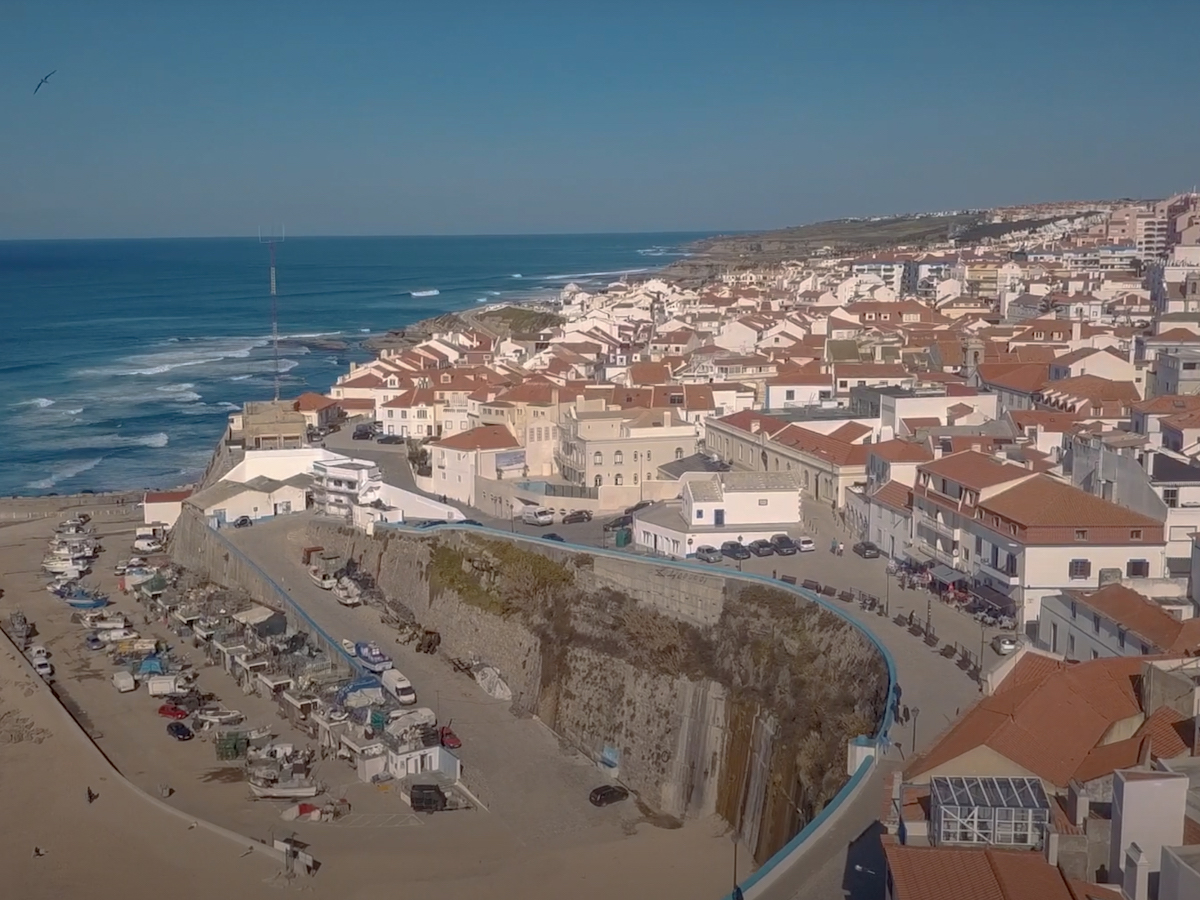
713,509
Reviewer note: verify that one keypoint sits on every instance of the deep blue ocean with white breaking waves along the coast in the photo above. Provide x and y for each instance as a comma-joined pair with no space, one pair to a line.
124,358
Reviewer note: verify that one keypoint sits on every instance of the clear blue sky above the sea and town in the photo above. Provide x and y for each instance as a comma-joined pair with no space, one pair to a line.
465,118
